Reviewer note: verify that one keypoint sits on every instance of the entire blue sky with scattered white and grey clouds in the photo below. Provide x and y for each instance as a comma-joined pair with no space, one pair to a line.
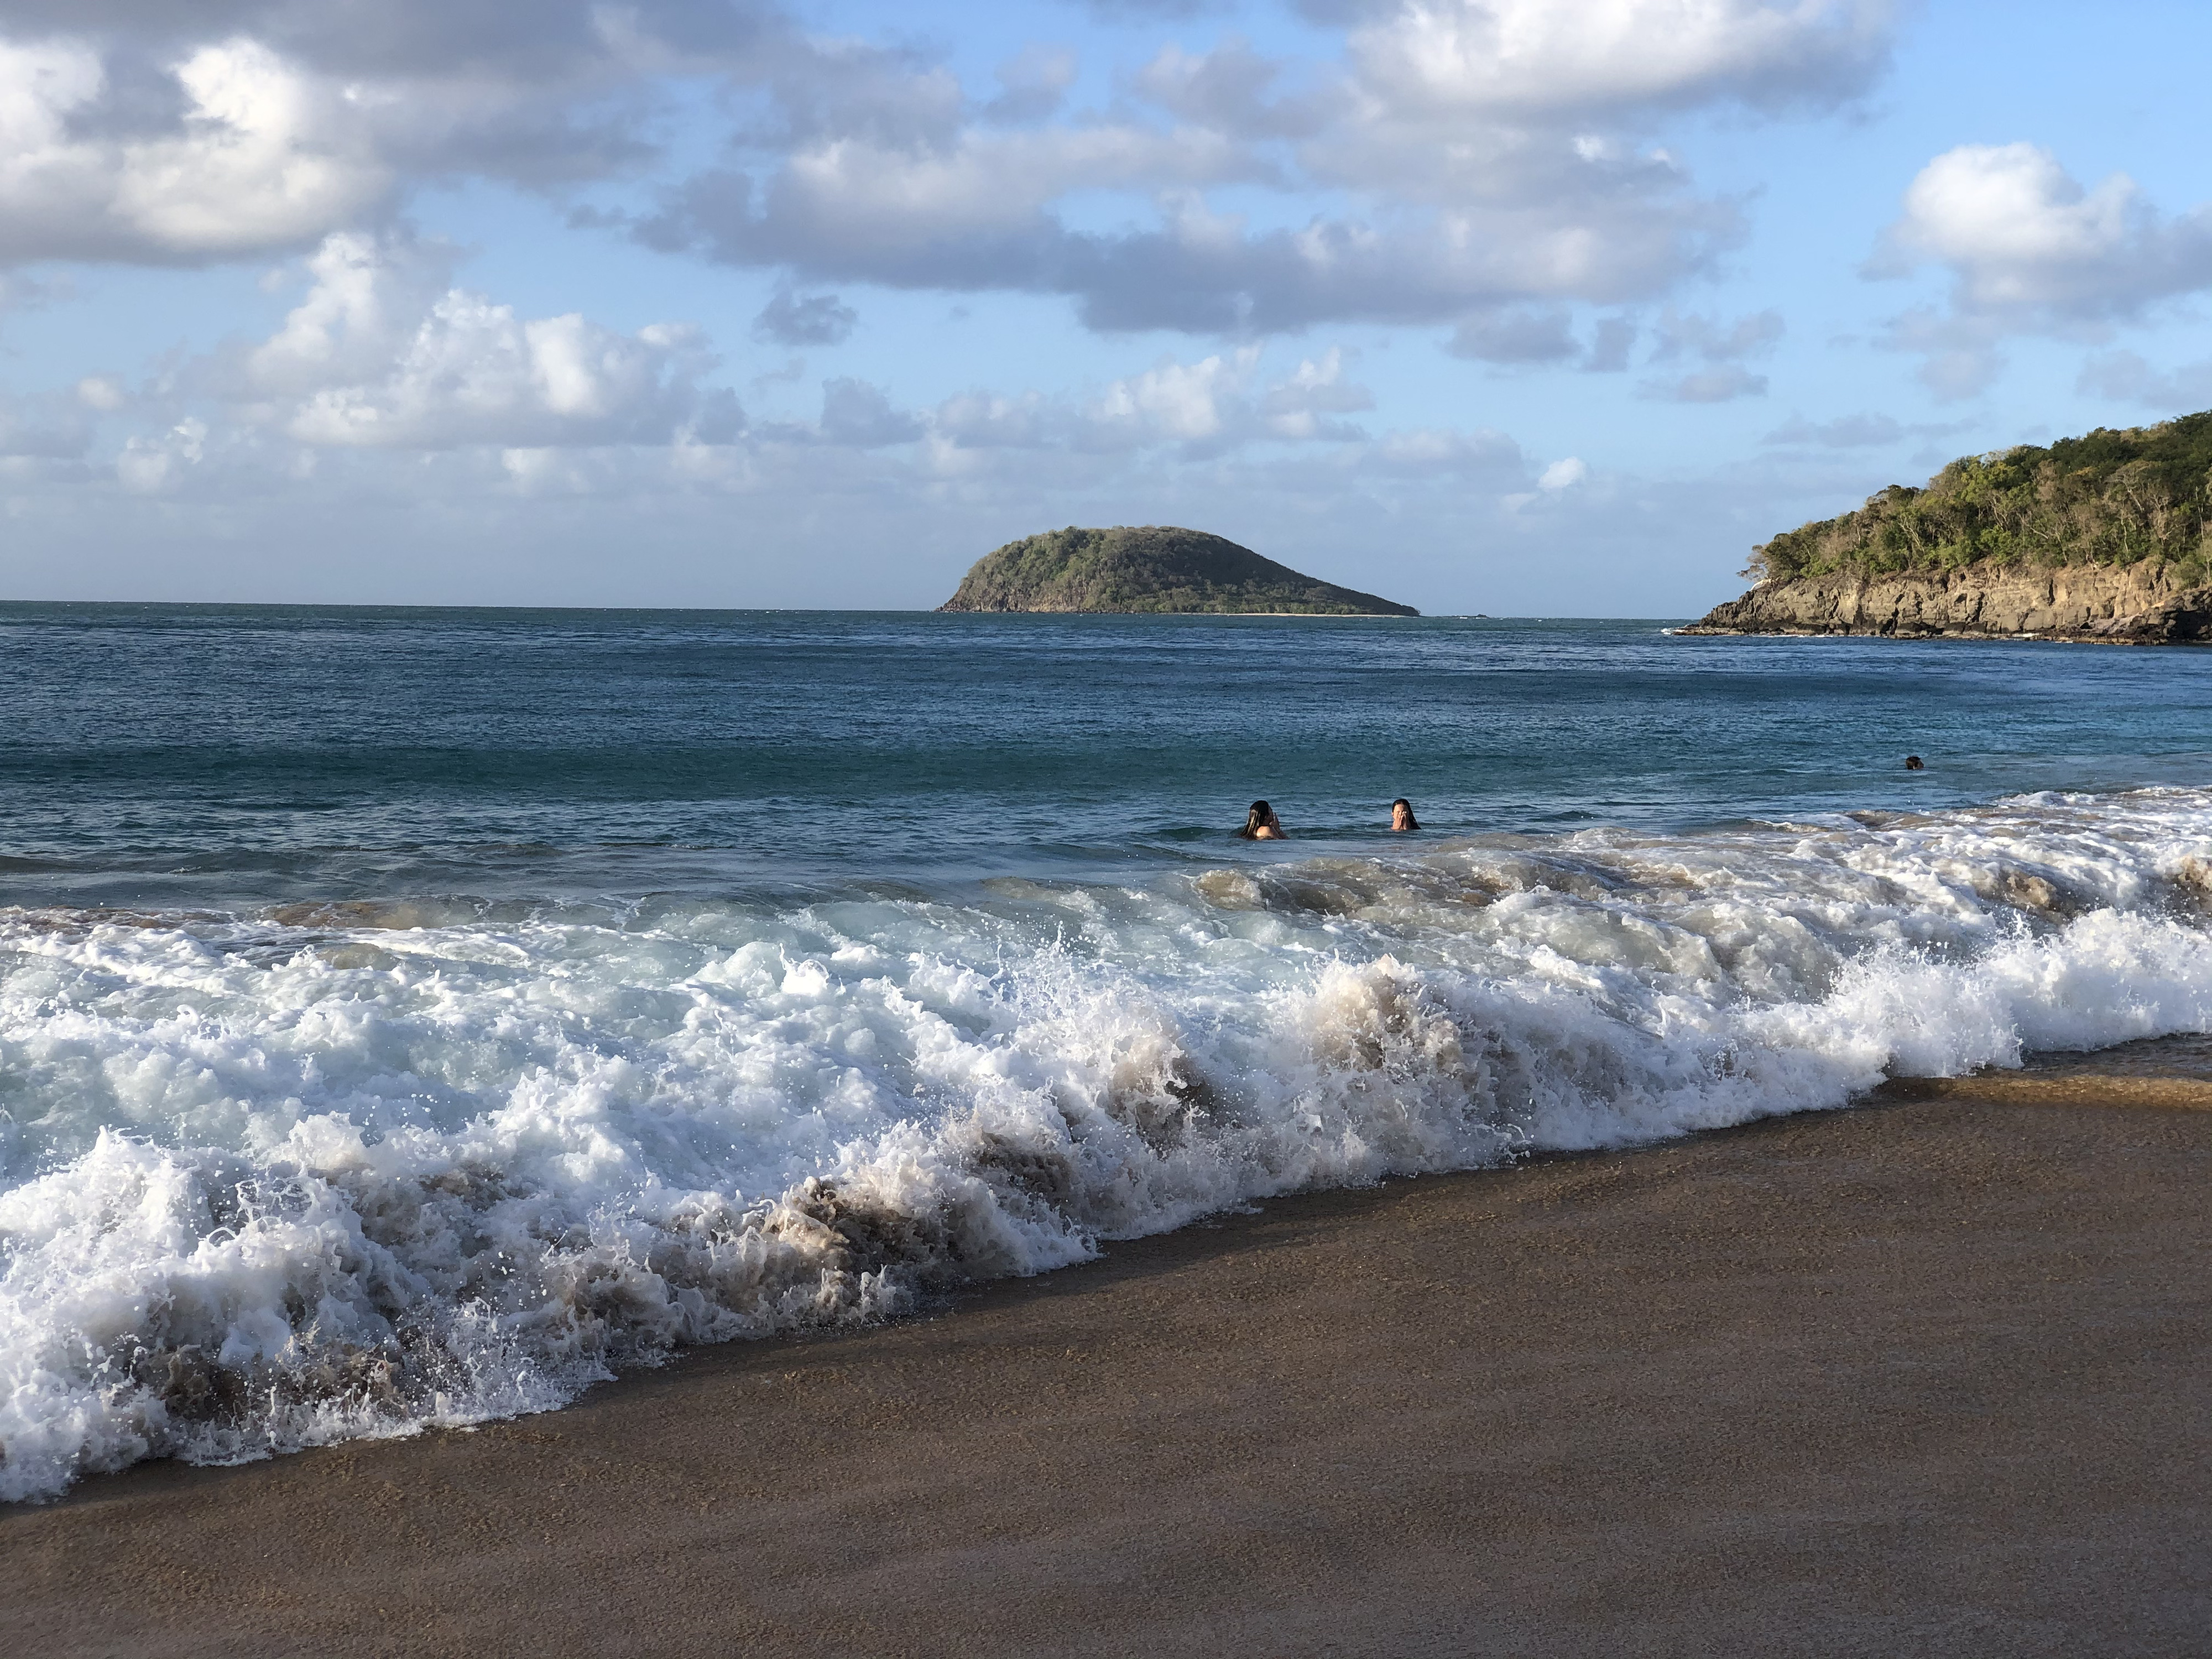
1514,306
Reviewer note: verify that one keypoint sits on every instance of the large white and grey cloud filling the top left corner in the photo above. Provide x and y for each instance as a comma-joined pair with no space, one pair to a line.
218,129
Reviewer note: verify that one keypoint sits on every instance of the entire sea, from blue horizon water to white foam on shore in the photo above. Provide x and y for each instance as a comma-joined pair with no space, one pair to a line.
413,1016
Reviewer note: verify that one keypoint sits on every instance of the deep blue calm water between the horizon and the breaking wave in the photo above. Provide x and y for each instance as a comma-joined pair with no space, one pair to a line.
231,755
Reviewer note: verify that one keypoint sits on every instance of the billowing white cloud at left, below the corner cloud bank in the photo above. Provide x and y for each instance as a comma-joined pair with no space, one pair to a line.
384,353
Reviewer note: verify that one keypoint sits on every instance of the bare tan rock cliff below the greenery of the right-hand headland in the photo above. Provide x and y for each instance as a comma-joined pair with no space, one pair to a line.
2140,605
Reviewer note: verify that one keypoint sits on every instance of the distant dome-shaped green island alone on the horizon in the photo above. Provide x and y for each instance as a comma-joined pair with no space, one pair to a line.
1151,570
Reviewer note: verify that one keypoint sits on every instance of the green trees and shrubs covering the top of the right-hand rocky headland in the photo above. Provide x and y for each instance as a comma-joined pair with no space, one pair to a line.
2107,499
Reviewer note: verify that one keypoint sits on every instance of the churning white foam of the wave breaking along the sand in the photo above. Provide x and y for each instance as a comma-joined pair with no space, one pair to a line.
342,1171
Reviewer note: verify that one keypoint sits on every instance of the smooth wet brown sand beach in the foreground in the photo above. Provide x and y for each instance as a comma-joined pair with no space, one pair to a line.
1919,1379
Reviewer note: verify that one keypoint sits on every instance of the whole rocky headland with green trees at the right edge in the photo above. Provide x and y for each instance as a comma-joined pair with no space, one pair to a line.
2103,539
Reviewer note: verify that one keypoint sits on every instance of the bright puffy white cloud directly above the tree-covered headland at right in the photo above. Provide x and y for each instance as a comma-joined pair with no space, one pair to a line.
2030,251
